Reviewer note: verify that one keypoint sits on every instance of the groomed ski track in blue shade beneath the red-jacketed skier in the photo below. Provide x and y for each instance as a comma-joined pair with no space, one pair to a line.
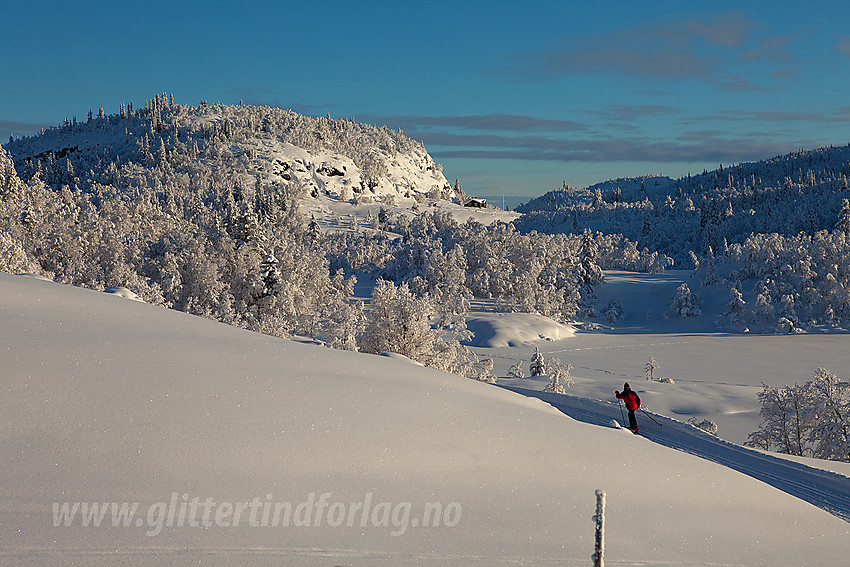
824,489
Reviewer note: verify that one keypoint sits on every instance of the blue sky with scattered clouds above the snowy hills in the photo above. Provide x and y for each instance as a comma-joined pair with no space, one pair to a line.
511,97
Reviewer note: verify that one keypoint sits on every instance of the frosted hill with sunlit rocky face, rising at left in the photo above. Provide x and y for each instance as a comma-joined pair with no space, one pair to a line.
334,157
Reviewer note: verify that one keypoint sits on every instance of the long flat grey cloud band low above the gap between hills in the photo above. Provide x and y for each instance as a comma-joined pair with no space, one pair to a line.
525,138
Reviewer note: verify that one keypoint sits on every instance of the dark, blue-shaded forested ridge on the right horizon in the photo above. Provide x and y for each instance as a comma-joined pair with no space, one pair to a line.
786,195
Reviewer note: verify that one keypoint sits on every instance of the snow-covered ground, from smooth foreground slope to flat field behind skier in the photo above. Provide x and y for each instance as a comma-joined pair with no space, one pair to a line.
212,430
